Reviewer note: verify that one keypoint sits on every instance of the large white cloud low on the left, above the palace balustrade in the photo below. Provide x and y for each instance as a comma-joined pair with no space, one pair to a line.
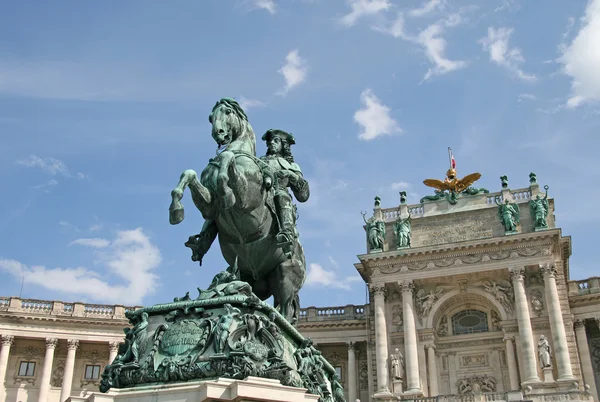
130,257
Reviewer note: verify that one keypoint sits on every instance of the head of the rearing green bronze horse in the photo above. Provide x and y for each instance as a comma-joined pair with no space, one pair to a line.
230,128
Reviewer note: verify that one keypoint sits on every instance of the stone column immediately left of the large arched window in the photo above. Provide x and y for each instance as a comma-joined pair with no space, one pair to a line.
411,352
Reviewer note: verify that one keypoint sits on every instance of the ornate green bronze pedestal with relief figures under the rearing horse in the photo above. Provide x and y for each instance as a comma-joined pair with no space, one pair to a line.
227,331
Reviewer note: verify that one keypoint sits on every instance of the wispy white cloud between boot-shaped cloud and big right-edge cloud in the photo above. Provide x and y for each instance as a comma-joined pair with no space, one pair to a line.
496,43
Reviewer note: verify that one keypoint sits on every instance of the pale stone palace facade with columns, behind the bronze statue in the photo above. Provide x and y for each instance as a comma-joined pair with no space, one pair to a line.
463,306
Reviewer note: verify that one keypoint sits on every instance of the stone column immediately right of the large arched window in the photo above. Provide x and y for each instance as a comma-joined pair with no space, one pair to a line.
525,331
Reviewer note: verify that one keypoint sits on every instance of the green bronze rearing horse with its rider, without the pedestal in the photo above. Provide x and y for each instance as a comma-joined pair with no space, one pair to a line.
241,197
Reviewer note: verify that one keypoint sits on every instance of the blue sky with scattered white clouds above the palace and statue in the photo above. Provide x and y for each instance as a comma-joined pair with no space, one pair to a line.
104,104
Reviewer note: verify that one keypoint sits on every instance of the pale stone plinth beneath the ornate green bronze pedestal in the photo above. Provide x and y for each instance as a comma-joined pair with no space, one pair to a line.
222,389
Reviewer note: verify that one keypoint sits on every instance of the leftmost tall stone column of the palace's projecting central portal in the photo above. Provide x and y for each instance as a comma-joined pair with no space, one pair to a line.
381,348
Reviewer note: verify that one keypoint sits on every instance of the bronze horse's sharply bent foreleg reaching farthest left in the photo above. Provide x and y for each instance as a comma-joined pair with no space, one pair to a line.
200,195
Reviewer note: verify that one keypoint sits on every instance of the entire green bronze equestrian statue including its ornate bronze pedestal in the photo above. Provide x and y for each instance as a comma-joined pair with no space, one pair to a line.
228,330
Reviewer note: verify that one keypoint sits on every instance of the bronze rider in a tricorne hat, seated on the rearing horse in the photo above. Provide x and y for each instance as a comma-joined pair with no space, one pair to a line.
284,173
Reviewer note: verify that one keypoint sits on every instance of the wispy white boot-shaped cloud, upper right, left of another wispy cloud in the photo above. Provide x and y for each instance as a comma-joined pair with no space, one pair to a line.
435,48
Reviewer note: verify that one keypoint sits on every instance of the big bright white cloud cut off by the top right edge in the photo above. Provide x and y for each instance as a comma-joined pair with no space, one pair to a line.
581,59
